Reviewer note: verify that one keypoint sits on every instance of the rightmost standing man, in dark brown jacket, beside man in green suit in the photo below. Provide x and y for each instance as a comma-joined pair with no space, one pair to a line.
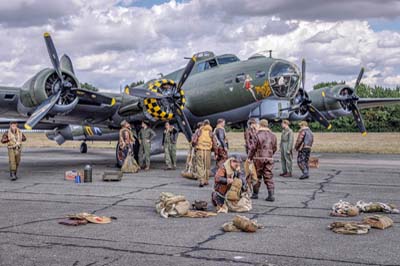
304,142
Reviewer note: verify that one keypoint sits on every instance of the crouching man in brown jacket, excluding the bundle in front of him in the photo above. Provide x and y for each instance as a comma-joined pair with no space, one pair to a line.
224,177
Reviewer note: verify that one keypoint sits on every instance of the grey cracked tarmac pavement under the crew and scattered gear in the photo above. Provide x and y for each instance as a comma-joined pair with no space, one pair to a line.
295,230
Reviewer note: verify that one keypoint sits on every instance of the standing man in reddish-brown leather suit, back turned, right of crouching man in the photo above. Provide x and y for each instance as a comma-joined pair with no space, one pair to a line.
262,153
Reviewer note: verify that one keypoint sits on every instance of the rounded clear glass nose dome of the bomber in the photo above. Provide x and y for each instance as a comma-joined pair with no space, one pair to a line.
284,78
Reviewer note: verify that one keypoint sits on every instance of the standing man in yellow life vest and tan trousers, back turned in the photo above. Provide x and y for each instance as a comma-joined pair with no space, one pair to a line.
203,143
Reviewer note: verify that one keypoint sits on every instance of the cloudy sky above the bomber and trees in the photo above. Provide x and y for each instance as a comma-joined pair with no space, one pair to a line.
119,41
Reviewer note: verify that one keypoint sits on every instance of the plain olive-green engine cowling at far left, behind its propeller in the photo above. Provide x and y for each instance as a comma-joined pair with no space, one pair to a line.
41,86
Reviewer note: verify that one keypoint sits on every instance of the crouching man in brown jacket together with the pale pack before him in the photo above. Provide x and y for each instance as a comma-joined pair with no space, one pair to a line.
229,186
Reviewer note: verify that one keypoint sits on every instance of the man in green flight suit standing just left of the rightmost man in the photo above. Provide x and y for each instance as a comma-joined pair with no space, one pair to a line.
287,139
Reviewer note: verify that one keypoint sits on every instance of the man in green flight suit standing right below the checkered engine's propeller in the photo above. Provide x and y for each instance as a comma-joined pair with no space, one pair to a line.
170,137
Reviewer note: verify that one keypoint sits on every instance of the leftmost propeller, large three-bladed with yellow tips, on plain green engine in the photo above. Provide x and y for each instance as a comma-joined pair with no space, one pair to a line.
56,101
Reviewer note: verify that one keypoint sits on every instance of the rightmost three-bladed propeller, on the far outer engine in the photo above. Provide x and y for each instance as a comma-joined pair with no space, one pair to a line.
350,101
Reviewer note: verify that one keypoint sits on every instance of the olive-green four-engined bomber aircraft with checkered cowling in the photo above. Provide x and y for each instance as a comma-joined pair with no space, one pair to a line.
209,87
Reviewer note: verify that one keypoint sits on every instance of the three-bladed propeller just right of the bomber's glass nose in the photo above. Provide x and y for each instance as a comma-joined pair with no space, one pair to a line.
305,104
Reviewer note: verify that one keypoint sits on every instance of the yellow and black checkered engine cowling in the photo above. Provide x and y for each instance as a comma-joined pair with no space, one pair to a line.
154,108
